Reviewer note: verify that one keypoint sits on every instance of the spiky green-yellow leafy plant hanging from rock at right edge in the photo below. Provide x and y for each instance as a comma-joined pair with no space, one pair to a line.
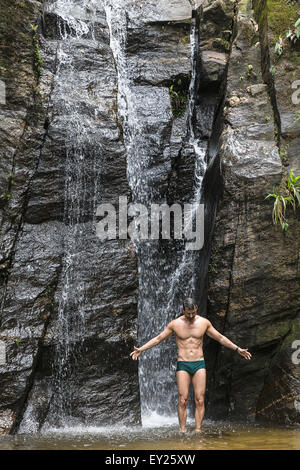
288,196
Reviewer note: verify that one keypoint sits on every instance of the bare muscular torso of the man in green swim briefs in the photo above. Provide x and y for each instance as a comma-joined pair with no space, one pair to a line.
189,337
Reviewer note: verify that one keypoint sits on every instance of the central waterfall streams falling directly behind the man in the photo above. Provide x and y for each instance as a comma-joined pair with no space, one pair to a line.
166,269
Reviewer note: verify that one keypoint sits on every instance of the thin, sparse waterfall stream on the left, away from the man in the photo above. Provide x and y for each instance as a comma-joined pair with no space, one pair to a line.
81,175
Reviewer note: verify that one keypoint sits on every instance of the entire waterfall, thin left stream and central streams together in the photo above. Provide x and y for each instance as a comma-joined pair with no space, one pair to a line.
167,272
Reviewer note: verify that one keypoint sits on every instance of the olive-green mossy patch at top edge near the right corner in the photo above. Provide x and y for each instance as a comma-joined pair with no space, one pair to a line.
281,16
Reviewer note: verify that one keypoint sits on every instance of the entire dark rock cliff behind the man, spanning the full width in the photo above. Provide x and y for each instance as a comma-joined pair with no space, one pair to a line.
109,98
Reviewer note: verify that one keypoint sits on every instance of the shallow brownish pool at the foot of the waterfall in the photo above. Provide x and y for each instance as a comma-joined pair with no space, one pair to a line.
214,436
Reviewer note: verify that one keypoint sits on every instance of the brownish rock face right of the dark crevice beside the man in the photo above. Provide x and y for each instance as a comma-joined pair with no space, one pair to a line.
253,294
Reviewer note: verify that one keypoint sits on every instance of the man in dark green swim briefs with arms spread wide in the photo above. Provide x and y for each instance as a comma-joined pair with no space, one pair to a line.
189,330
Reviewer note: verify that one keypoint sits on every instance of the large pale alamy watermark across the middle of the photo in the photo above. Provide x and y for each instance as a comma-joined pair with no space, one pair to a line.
163,221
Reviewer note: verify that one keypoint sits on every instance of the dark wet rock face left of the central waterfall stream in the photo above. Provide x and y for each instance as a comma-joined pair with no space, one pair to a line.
68,299
